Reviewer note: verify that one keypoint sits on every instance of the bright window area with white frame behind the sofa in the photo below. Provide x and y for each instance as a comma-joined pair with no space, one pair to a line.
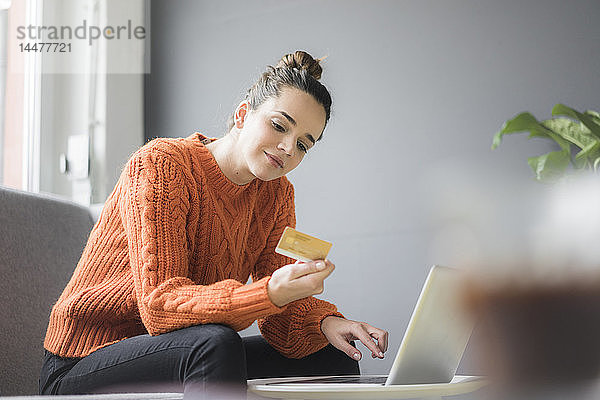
71,118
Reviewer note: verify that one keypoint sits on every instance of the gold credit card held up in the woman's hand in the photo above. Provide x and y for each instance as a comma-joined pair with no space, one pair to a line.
300,246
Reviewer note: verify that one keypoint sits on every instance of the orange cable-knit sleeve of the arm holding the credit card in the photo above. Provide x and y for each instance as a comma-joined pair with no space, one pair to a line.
156,213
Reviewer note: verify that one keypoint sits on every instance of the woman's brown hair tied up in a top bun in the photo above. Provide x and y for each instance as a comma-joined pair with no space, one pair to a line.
297,70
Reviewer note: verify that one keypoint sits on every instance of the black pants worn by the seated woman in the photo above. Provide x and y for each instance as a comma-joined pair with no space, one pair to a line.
203,361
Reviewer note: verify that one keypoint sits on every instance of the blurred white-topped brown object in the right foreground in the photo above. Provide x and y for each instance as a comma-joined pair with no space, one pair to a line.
540,316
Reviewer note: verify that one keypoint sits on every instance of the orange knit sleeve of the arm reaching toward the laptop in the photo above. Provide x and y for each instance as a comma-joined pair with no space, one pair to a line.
295,332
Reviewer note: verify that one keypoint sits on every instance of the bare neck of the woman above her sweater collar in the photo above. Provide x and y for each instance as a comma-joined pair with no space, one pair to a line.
230,160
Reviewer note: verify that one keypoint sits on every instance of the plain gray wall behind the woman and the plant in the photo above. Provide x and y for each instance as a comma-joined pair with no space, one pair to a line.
405,177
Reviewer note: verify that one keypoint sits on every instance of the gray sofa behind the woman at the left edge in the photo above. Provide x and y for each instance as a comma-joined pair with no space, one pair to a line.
41,240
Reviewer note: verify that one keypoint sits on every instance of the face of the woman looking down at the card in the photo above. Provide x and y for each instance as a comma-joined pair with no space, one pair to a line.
276,136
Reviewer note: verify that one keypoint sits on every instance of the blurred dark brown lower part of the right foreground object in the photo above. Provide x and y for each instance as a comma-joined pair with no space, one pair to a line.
539,334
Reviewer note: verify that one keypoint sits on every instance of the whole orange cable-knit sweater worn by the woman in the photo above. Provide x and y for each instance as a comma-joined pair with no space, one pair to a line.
174,246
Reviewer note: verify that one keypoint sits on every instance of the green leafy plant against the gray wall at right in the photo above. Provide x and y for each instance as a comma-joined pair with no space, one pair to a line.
569,129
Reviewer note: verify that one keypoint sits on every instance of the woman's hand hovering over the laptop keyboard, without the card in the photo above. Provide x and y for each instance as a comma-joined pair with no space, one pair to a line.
340,332
